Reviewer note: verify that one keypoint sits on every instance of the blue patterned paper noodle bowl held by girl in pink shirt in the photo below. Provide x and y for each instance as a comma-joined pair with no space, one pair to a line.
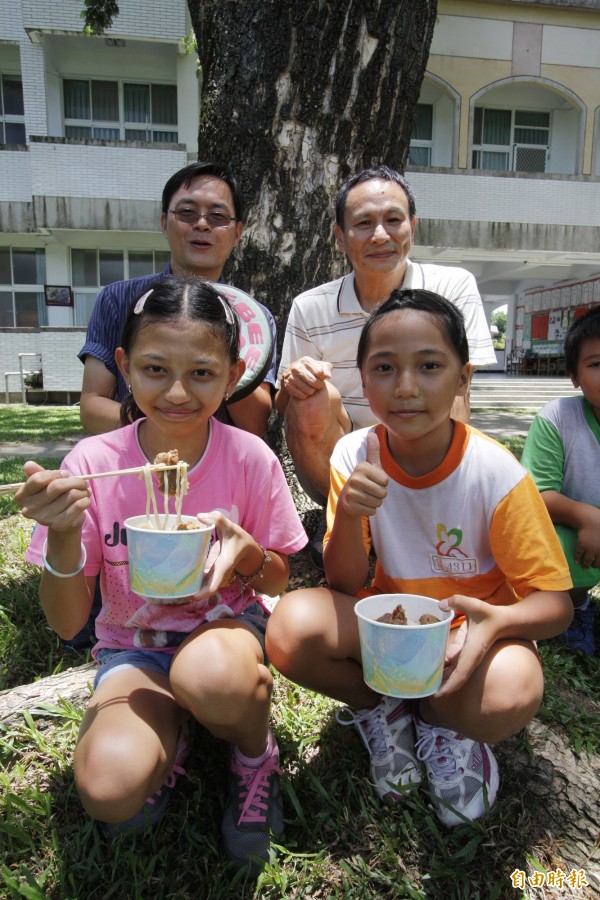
166,565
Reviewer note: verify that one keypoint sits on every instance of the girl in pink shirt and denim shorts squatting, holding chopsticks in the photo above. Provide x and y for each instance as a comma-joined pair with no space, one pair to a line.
162,669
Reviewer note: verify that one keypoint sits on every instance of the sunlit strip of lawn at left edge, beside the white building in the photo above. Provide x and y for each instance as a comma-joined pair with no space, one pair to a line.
39,423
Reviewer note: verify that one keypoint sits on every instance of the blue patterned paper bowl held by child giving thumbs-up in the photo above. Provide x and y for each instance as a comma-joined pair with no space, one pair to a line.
402,660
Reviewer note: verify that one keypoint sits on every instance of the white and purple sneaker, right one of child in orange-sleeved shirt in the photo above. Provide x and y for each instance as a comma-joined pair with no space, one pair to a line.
462,774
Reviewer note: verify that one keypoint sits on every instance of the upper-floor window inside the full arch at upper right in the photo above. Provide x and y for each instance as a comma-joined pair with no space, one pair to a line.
510,140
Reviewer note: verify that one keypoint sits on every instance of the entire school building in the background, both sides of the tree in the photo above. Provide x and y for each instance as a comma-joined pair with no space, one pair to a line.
504,161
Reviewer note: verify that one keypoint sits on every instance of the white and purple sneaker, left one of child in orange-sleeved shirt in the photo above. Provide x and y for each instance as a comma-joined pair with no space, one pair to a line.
388,734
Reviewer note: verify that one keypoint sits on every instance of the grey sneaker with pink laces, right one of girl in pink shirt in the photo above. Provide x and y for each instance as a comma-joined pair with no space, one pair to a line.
253,812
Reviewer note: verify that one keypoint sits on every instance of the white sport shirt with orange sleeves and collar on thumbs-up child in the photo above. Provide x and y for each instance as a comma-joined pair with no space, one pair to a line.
476,525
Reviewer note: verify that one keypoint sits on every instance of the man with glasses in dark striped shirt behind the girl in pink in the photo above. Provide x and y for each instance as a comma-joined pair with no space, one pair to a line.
202,220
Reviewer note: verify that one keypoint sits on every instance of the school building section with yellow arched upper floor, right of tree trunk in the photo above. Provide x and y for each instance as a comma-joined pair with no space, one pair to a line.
505,164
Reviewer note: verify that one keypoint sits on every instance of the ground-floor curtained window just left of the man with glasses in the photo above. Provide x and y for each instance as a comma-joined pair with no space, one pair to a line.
93,269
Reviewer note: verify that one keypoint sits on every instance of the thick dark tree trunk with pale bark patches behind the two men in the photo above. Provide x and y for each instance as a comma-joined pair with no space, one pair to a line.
297,97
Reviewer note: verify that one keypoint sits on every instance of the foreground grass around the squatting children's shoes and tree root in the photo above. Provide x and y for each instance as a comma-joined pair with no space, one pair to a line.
340,842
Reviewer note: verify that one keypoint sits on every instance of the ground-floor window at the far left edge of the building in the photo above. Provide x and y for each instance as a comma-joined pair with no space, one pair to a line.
22,277
